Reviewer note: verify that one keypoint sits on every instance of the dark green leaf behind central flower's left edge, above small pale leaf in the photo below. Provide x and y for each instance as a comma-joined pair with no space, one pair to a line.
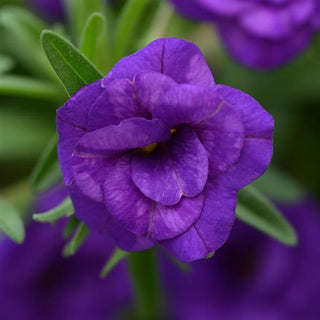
47,171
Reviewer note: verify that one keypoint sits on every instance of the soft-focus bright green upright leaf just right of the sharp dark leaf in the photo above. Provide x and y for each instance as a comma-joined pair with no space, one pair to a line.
94,41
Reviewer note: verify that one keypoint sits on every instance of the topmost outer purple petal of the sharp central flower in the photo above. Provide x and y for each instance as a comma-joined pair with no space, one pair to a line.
179,59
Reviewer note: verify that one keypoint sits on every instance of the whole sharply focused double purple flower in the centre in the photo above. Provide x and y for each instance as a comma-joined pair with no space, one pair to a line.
155,152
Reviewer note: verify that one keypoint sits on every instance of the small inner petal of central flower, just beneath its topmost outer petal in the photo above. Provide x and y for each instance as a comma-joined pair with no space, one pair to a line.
150,86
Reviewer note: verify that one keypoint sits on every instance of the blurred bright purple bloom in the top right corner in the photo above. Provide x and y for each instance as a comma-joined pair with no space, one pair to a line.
260,34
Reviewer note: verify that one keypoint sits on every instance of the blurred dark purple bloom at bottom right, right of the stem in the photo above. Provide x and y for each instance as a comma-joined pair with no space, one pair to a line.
254,277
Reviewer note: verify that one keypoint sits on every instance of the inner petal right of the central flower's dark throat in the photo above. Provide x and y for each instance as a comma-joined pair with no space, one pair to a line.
222,135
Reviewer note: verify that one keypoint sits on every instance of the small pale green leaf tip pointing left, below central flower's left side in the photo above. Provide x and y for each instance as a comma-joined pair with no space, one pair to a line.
64,209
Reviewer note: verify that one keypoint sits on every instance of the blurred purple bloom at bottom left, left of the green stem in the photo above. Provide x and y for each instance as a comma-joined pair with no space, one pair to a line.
36,282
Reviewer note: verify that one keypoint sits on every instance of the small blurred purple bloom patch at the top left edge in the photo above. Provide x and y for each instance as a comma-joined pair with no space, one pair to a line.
52,10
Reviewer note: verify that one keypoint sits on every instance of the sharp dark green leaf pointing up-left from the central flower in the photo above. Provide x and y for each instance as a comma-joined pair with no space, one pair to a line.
72,67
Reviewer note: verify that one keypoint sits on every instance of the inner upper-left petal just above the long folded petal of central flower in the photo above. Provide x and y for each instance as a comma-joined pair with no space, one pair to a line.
117,102
